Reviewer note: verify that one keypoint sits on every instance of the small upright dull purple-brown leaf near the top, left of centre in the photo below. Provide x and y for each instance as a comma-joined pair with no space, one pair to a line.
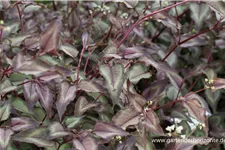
73,19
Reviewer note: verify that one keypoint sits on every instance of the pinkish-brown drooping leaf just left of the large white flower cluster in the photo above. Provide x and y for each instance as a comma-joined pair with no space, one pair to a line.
152,124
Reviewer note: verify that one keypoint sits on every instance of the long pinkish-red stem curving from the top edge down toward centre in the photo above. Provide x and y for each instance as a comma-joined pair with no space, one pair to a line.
147,16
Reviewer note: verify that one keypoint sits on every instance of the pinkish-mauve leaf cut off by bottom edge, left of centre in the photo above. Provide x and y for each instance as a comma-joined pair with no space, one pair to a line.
85,143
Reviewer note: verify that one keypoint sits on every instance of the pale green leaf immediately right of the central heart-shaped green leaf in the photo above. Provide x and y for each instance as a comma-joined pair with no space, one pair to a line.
138,72
